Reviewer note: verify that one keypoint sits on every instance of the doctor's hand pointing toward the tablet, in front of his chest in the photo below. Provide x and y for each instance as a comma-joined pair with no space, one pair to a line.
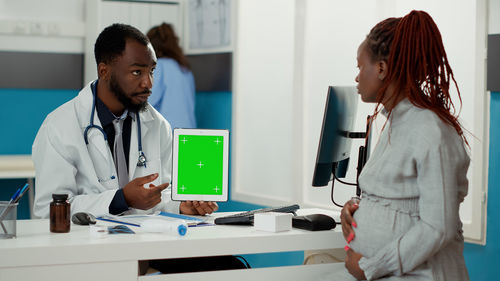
139,197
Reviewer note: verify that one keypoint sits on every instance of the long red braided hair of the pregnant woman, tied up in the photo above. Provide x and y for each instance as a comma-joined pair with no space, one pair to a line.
417,64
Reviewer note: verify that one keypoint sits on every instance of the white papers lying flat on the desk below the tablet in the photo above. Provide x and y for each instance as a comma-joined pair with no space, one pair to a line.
136,220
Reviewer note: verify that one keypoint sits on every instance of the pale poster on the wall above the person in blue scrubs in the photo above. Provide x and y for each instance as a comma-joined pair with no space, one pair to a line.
209,26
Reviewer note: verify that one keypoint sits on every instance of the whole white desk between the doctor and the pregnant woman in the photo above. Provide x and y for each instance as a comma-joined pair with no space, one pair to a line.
37,254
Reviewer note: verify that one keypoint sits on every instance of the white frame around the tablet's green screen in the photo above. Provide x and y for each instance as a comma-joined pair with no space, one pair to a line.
225,169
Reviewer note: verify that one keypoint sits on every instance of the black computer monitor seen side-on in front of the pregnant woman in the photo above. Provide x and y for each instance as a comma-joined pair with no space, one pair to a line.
335,141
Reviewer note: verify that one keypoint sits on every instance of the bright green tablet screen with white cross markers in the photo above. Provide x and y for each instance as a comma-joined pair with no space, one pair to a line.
200,165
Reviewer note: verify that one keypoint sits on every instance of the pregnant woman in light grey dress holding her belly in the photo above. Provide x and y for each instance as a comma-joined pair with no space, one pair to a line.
407,224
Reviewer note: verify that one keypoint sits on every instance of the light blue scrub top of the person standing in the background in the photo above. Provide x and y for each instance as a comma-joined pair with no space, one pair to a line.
173,93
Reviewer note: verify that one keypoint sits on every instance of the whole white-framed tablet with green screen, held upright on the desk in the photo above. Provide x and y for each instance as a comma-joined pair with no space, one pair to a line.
200,165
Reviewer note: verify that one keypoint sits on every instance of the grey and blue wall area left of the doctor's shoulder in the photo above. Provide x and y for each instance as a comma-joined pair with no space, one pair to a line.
28,93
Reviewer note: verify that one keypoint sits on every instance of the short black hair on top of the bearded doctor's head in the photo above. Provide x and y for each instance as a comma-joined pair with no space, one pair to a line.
110,44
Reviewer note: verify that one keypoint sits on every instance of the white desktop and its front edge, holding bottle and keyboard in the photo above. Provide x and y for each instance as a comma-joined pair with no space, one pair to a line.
34,242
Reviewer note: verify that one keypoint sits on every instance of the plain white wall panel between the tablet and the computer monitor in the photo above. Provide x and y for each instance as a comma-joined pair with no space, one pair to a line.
263,115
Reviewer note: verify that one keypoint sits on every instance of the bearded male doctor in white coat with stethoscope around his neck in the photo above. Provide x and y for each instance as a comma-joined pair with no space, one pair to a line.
108,148
